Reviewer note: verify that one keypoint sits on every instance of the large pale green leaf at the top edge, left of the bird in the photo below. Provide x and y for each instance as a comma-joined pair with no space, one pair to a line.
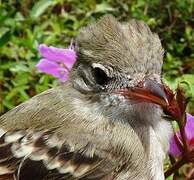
39,8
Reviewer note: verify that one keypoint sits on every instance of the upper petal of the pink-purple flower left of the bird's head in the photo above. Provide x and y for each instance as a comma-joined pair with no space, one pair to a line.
60,55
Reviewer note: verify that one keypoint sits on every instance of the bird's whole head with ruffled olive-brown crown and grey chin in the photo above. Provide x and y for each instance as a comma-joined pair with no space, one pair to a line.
114,56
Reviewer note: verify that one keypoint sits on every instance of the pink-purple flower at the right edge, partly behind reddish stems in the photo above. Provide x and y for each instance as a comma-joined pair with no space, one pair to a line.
189,130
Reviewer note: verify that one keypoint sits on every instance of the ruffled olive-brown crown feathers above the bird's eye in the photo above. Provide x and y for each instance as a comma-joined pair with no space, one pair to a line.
131,46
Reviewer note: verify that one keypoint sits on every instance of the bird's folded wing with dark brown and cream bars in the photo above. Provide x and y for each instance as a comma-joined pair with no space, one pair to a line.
26,154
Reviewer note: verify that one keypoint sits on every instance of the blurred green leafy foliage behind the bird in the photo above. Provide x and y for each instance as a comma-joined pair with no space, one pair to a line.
26,23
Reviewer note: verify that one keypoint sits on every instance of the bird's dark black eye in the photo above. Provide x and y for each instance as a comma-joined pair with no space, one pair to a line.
100,76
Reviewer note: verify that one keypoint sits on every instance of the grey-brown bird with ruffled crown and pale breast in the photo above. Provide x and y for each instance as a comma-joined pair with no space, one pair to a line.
85,128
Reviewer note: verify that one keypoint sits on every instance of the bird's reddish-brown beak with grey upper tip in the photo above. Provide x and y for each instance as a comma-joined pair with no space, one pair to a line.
147,91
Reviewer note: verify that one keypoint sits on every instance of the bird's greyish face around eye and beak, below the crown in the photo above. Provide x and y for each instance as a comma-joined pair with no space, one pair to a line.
104,86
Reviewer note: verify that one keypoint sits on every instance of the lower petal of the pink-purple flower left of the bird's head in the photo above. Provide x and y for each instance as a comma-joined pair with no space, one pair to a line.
52,68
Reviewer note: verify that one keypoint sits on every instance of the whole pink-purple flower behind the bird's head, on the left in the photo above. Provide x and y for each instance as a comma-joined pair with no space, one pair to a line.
56,61
